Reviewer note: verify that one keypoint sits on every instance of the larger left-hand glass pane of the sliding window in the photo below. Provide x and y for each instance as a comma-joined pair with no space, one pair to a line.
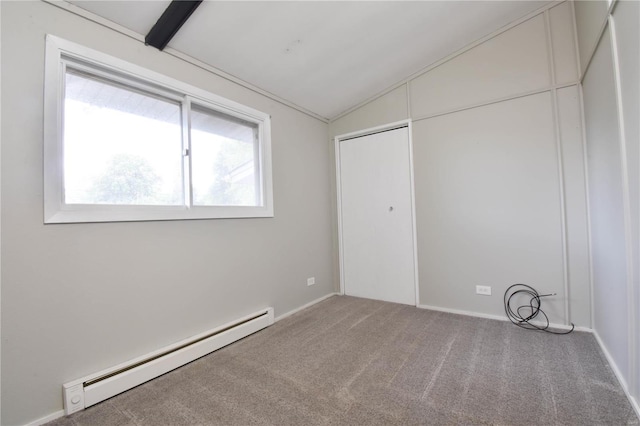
121,146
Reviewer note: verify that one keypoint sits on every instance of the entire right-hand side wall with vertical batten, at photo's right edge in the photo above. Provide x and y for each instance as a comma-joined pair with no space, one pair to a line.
608,39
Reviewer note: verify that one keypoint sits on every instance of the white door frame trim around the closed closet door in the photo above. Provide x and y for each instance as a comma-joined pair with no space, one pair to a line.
366,132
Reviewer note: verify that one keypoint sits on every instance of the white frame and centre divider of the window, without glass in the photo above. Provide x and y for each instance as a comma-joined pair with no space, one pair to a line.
60,51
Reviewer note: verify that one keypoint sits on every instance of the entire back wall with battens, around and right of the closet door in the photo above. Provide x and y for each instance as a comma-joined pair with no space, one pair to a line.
499,169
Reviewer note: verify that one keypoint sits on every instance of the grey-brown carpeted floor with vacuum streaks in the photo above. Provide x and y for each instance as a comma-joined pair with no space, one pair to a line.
350,361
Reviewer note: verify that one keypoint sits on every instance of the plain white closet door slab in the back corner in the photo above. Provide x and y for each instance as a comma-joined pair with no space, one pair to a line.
377,217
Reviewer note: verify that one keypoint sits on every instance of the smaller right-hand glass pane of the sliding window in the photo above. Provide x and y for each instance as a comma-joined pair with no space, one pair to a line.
224,160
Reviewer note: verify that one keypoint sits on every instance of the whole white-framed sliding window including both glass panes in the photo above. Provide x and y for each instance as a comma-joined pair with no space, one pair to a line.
123,143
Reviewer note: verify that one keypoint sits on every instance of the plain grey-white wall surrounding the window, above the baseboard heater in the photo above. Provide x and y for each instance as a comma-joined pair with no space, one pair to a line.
82,297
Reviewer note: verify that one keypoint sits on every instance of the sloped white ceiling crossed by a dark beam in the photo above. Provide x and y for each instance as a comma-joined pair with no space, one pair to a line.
325,56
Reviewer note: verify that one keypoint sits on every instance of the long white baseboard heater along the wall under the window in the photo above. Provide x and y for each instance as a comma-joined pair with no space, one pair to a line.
90,390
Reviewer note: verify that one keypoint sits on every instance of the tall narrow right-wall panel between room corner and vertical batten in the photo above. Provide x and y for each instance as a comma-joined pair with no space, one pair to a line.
606,203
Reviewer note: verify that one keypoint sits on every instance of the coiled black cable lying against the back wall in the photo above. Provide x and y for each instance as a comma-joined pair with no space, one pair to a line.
523,315
